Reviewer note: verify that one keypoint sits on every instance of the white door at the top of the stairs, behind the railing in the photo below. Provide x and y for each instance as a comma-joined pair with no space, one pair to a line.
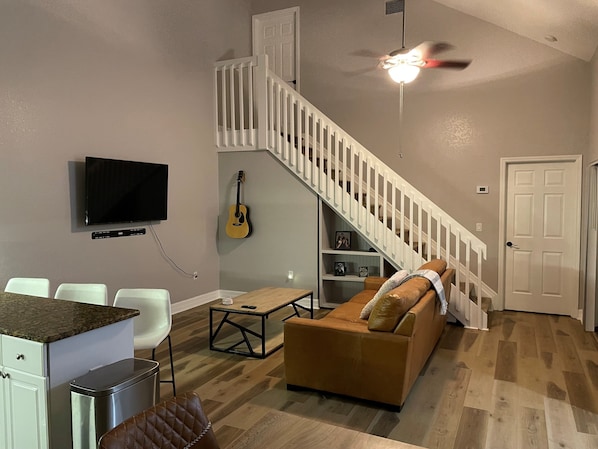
276,34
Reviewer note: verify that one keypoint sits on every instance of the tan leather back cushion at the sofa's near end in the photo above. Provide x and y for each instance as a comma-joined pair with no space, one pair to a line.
391,308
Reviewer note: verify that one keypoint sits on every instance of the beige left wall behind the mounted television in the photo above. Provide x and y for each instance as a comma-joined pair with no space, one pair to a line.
122,79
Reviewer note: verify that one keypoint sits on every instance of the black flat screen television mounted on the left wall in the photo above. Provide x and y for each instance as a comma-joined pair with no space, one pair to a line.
119,191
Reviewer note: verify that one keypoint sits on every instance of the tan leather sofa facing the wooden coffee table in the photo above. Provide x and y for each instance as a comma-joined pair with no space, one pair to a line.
378,359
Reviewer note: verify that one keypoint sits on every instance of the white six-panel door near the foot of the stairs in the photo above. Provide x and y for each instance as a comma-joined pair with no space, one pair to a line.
542,237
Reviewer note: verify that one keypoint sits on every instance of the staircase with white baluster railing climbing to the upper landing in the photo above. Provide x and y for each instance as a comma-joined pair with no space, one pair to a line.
256,110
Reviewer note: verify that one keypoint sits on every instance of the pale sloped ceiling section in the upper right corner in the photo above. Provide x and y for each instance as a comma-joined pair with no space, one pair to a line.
574,23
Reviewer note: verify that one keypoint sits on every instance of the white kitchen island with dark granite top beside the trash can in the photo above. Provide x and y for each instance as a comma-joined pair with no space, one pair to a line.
44,345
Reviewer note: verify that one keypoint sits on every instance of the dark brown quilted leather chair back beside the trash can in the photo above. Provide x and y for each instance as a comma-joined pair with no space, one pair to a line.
176,423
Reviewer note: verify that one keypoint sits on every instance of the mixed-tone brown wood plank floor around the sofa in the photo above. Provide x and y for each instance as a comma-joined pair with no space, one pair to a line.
529,382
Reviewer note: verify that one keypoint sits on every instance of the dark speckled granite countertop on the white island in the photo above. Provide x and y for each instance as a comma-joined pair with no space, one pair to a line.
47,320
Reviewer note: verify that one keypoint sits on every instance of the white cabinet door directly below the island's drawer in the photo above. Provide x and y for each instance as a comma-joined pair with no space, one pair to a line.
24,404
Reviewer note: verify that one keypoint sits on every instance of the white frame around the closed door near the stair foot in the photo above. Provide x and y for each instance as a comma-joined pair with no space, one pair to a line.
505,162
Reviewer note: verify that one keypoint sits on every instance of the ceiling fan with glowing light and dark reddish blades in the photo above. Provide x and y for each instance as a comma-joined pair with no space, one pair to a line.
403,65
